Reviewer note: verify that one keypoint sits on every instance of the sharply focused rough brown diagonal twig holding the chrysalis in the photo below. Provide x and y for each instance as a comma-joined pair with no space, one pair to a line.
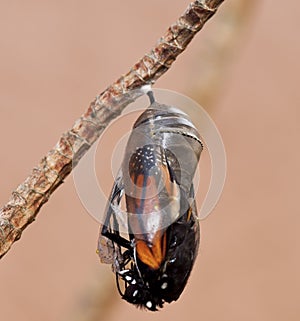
29,197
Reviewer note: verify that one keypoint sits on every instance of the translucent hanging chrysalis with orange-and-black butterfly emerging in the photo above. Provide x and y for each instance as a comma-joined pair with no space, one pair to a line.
153,258
